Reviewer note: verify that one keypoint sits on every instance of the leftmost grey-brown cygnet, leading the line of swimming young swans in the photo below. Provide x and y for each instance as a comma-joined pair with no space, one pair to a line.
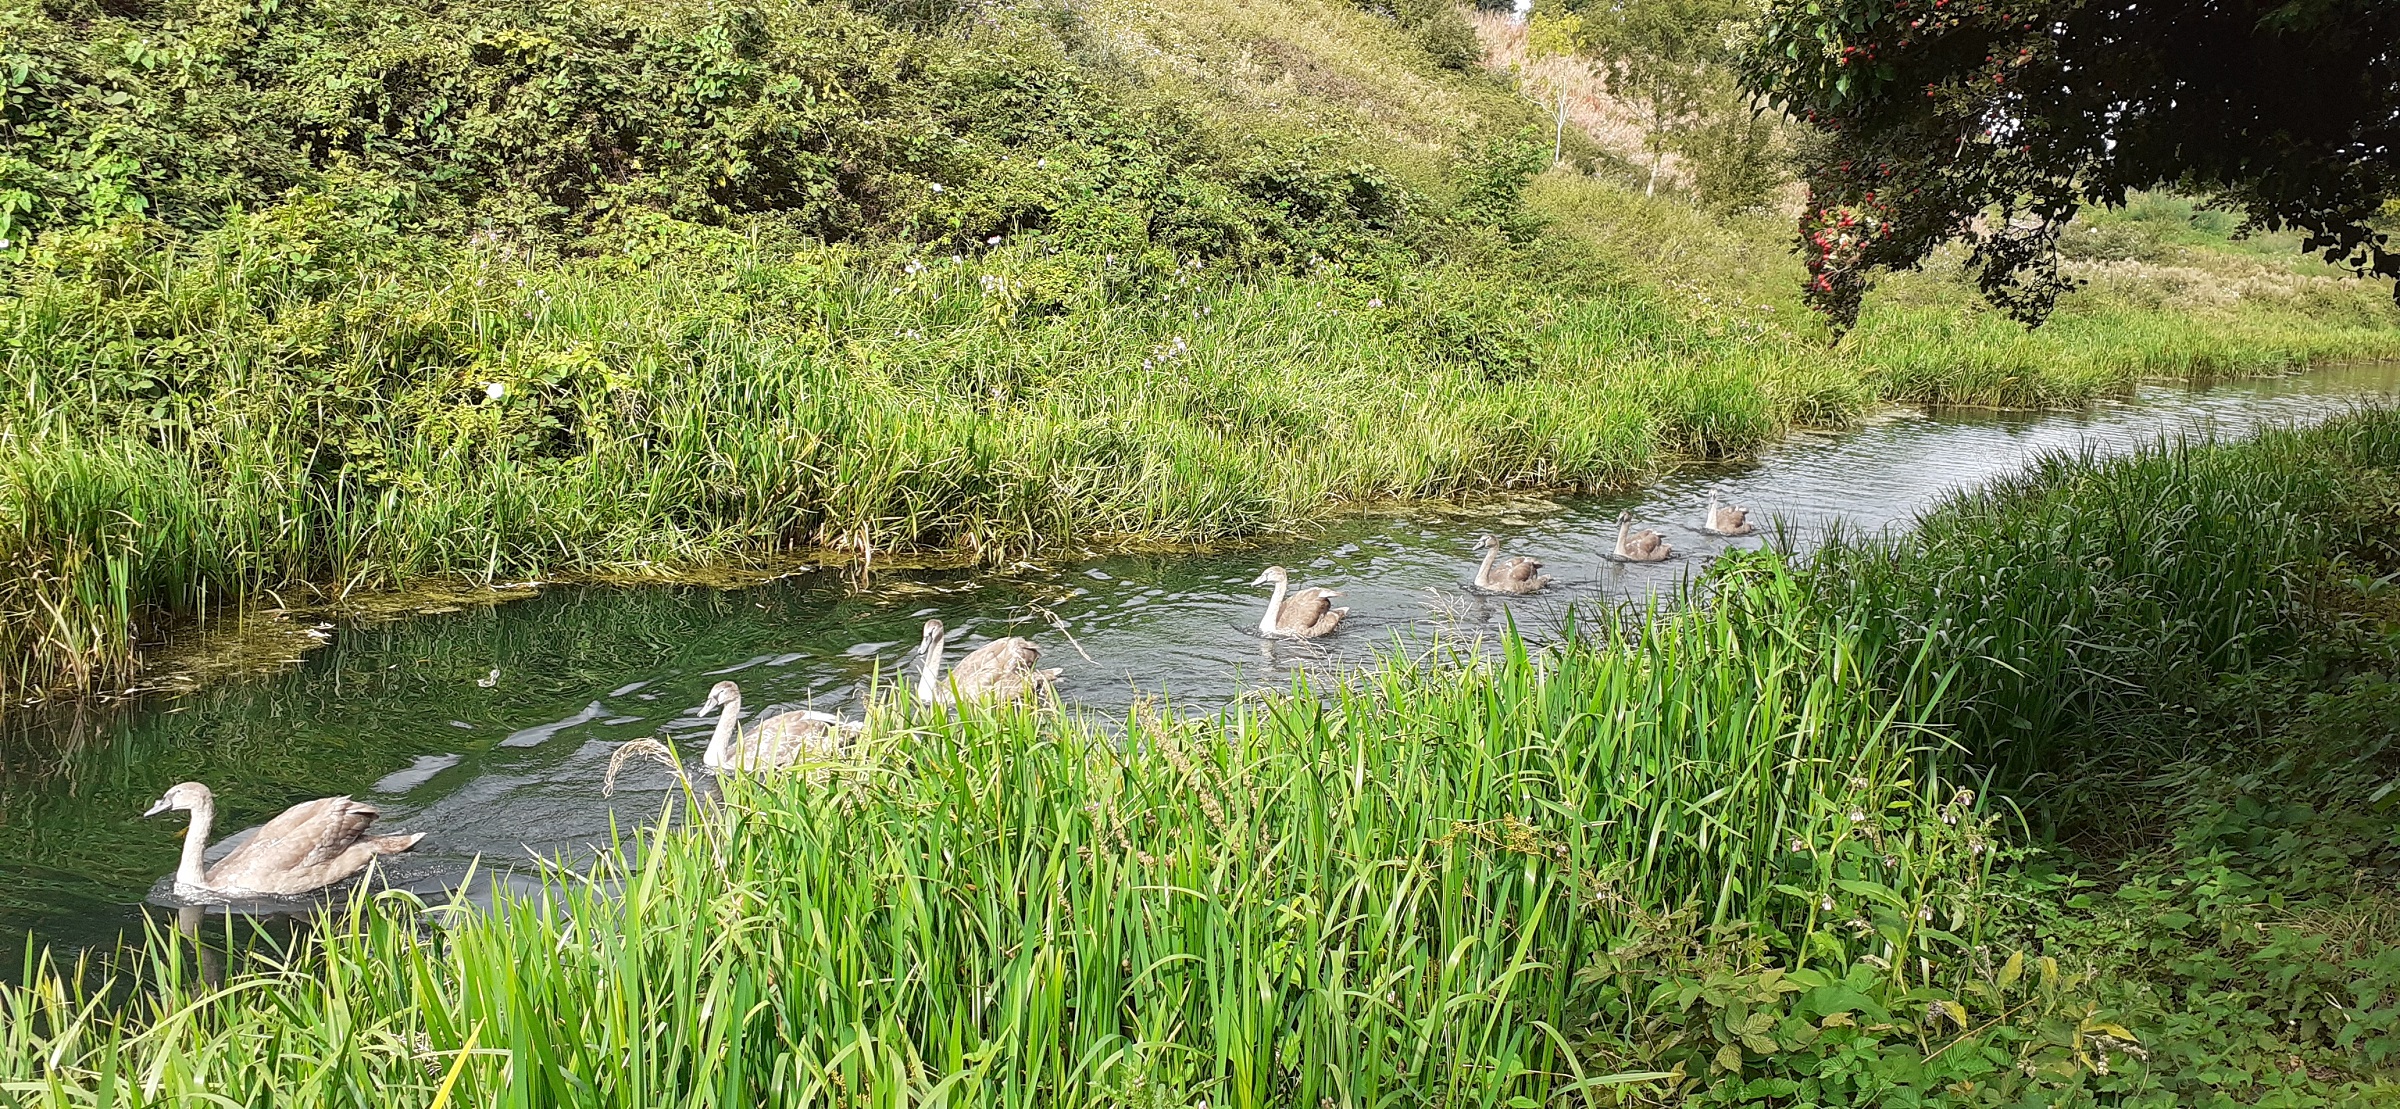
311,846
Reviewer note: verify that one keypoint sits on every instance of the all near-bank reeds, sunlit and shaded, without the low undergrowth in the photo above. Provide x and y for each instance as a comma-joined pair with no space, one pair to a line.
1436,882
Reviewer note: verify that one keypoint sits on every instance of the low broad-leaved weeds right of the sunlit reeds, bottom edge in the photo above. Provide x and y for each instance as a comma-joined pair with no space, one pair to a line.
1895,964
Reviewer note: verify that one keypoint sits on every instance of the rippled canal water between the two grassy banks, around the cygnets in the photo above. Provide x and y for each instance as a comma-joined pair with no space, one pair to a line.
491,729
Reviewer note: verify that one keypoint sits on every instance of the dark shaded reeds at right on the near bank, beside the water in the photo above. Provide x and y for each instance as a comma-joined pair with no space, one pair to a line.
2087,594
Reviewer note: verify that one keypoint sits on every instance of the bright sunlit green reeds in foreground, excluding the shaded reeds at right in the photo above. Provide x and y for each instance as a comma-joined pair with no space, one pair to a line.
1362,894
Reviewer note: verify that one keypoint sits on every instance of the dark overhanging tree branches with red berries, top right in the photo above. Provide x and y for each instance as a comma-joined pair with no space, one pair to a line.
1998,119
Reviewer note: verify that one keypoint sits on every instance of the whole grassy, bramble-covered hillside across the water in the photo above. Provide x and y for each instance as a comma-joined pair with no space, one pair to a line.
340,296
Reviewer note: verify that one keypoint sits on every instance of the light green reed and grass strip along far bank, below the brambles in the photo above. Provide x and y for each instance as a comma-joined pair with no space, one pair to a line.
294,404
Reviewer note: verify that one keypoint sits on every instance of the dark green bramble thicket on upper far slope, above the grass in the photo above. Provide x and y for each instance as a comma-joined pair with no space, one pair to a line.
551,124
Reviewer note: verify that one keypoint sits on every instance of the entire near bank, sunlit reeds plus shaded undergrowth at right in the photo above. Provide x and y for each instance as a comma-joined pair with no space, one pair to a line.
1832,839
